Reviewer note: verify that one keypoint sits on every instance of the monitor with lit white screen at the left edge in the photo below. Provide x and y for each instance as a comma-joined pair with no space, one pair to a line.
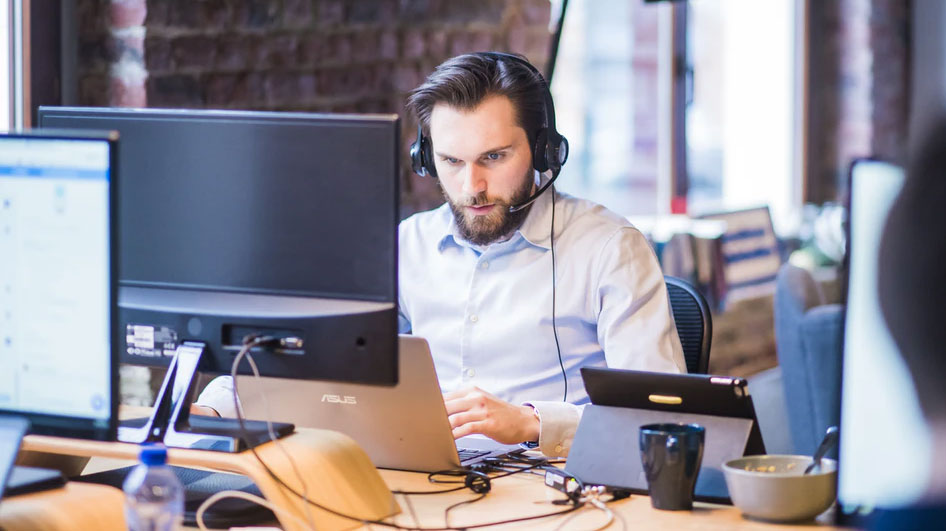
58,310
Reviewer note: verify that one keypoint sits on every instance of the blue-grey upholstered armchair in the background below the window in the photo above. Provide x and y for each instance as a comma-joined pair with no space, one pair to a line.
808,343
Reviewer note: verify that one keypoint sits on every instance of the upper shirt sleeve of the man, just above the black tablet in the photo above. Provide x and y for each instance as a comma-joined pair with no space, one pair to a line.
635,324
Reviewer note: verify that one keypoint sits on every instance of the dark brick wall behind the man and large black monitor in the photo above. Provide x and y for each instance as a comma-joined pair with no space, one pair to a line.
293,55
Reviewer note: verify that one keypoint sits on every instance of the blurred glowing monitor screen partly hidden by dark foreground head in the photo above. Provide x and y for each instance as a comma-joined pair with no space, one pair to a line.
885,446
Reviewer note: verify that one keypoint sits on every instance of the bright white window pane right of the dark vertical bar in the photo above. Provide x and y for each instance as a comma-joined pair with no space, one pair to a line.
741,146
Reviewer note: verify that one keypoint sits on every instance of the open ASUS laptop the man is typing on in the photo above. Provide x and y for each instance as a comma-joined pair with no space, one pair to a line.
404,427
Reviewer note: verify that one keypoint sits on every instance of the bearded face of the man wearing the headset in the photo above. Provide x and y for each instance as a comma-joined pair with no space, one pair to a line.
484,163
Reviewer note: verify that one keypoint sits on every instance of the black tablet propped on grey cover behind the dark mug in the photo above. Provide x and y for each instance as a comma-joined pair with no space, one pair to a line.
606,448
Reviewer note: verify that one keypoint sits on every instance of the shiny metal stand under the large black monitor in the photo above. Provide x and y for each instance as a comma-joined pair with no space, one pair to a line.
171,423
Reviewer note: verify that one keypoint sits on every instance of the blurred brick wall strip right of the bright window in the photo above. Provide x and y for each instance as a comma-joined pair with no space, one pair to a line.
859,56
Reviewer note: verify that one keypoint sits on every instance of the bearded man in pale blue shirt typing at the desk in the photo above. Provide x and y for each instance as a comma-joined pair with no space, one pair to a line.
476,274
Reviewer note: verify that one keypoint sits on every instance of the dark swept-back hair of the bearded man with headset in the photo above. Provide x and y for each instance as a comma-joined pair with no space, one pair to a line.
463,82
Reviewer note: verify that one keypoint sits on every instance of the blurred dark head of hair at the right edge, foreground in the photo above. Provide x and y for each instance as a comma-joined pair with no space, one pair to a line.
912,282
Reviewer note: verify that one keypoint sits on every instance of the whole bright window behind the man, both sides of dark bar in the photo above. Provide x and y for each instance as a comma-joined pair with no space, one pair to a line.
704,94
